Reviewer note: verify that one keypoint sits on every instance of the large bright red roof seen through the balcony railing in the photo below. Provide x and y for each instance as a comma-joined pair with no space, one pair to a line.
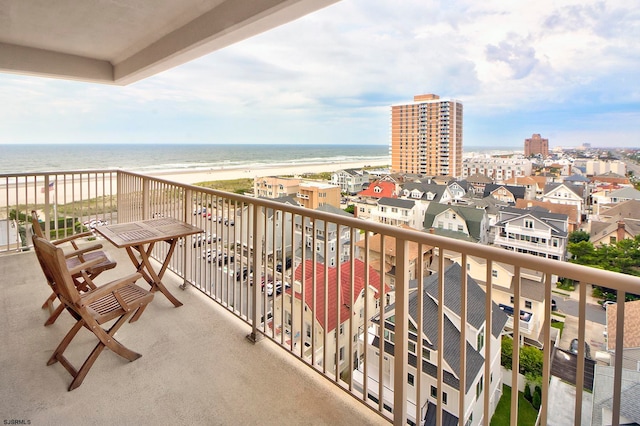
333,292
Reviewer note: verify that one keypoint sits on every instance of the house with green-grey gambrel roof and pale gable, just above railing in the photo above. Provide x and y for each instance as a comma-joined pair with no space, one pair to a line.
468,221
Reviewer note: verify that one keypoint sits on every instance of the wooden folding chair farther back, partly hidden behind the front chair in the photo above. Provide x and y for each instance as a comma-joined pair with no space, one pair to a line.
74,258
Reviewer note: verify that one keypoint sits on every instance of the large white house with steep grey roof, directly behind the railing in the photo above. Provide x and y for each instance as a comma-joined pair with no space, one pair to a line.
424,347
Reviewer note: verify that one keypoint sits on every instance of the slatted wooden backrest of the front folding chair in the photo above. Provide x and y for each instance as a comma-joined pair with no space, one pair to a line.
54,266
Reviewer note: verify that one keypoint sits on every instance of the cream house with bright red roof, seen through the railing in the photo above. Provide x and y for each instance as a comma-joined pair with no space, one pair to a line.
308,291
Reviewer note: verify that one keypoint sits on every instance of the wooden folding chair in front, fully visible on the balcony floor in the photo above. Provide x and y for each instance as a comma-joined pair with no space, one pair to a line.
116,300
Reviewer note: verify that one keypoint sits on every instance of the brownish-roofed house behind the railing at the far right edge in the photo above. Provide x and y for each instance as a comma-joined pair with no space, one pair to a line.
631,339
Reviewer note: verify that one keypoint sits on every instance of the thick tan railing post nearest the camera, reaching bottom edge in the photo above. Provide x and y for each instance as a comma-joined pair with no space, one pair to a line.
401,358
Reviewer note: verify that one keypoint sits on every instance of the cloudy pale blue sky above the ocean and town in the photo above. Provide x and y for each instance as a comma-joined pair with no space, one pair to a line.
567,70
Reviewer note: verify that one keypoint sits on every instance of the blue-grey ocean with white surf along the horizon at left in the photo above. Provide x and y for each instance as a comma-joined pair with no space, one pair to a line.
147,158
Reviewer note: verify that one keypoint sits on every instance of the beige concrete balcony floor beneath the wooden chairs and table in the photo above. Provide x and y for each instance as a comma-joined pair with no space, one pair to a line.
197,367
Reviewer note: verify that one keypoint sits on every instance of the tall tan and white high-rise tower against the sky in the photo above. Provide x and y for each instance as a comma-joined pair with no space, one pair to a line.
426,136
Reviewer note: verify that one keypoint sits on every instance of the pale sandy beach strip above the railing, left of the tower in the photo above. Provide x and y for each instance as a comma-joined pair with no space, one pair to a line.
191,177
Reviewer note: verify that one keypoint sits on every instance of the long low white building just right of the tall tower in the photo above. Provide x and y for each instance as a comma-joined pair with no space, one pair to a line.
497,169
